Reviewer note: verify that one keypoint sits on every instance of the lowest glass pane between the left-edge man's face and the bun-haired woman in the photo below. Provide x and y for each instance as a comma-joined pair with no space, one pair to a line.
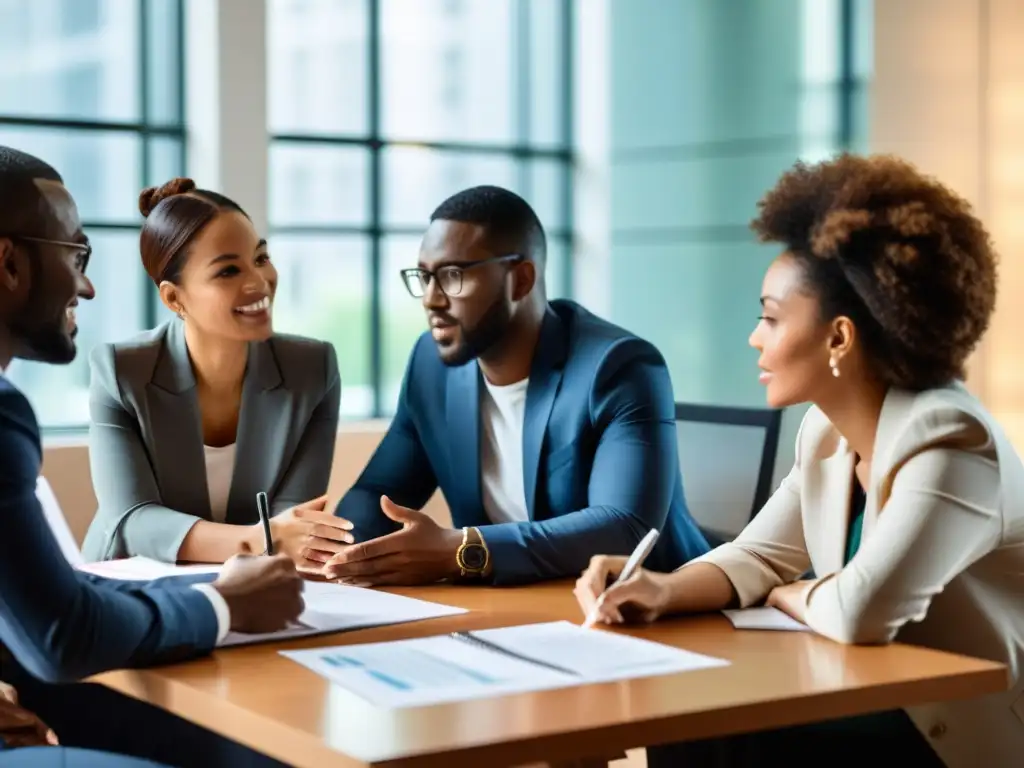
61,394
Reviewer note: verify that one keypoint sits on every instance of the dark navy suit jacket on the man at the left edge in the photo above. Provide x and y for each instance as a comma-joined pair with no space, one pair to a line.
62,625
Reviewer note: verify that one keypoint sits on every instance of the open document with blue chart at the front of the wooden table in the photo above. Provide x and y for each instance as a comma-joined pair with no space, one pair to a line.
492,663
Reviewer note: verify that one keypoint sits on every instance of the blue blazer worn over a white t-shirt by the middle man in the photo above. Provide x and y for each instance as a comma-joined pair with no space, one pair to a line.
600,453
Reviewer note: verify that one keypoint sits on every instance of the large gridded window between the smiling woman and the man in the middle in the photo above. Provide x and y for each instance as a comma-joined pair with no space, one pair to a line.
381,109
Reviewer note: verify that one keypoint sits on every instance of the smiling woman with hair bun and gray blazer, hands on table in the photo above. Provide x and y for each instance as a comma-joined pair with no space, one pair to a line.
195,418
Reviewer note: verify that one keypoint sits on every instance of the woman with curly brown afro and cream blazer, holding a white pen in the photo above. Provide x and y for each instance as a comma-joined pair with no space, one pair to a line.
907,500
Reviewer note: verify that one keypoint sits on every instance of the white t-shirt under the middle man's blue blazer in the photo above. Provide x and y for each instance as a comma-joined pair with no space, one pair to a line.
502,414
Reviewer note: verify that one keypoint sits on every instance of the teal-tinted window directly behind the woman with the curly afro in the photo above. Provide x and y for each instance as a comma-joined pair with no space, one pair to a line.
755,87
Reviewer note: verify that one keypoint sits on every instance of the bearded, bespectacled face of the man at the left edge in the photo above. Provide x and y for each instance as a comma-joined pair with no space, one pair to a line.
45,276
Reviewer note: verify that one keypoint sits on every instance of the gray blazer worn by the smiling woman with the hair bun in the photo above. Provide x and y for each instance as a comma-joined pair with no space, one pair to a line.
146,440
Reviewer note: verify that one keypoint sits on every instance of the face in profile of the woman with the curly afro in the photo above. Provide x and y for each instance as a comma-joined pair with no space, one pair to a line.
795,343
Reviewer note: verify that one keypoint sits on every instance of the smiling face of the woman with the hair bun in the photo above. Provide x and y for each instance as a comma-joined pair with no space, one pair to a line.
228,284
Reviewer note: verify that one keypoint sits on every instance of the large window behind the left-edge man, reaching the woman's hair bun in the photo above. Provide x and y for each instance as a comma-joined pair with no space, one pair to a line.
95,89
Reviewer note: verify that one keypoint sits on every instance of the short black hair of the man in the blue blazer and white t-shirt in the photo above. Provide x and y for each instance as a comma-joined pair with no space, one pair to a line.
510,223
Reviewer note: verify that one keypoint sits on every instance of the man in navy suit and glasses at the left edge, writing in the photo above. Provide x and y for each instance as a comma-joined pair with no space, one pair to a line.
59,624
